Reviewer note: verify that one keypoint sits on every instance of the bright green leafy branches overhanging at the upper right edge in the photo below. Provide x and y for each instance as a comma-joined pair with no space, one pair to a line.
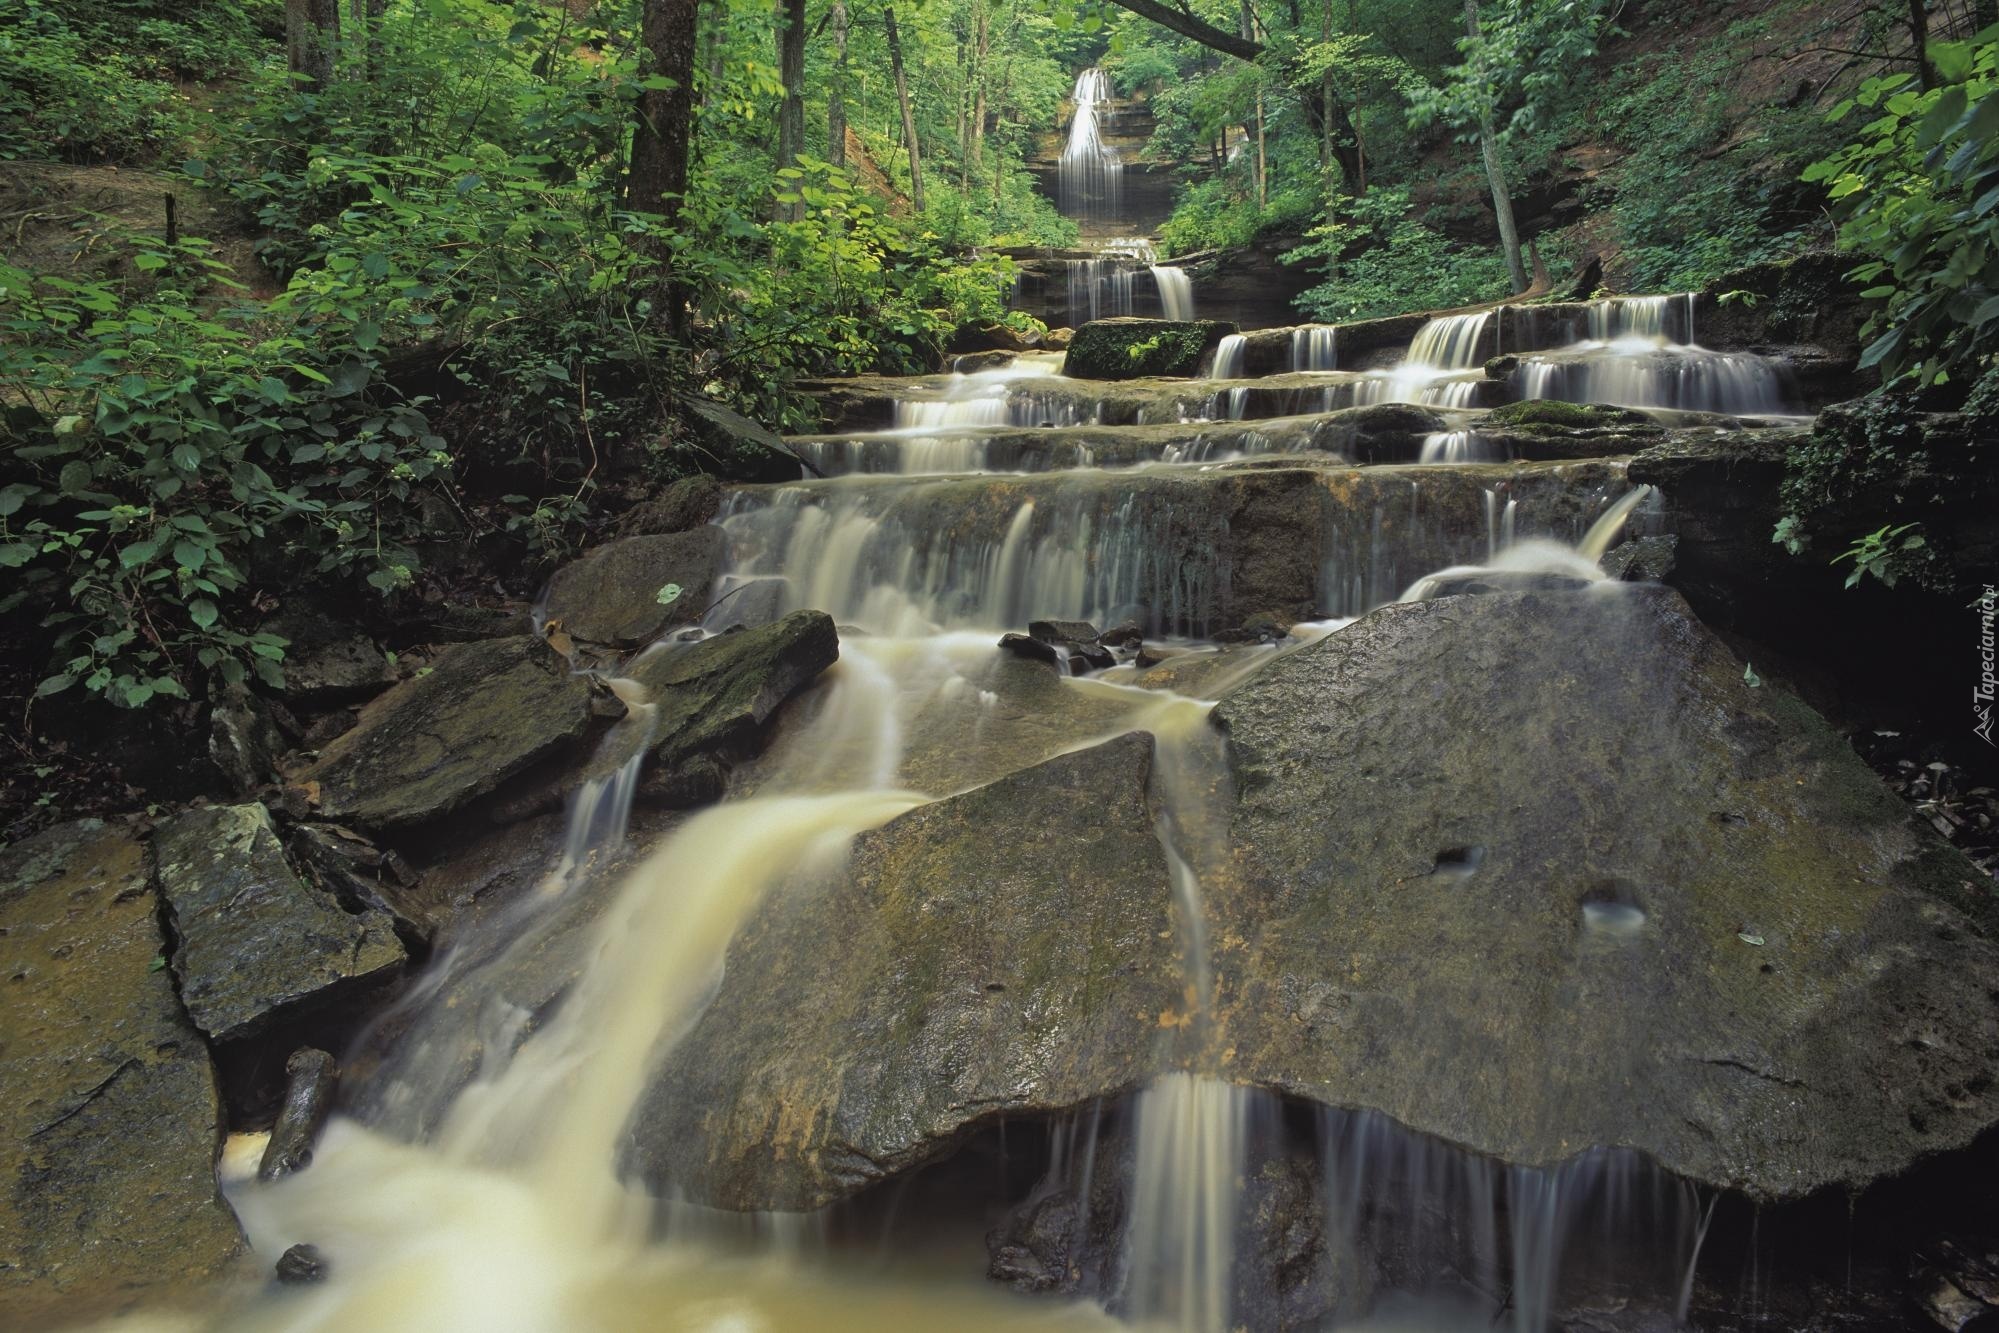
1918,195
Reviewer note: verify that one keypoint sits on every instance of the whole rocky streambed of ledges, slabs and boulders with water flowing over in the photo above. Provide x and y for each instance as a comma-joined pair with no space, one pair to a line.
1264,938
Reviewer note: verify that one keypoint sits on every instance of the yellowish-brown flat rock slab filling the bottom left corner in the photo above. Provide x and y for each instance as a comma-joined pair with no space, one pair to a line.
111,1120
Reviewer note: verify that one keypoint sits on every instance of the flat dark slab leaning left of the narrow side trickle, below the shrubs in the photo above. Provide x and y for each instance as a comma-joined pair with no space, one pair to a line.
437,742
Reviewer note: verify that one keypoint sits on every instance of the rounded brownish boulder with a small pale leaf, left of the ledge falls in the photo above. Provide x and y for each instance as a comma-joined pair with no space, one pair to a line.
633,591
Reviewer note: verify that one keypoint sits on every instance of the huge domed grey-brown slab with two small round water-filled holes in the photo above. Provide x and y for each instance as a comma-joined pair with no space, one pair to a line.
1536,872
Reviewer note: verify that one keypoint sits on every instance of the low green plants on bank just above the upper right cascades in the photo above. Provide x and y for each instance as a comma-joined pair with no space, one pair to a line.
1378,261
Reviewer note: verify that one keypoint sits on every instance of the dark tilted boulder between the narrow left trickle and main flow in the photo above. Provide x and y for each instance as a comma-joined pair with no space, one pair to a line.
717,698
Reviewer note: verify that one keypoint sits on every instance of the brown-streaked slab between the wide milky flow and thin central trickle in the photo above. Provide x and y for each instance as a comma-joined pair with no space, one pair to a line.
1006,950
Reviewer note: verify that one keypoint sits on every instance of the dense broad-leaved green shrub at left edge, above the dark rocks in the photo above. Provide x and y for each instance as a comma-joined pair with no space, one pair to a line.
177,461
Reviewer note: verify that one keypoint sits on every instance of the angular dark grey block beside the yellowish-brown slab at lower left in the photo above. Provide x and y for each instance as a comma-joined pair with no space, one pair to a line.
255,944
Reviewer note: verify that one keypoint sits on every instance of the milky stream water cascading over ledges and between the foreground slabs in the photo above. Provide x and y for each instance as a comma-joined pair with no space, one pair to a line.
477,1180
